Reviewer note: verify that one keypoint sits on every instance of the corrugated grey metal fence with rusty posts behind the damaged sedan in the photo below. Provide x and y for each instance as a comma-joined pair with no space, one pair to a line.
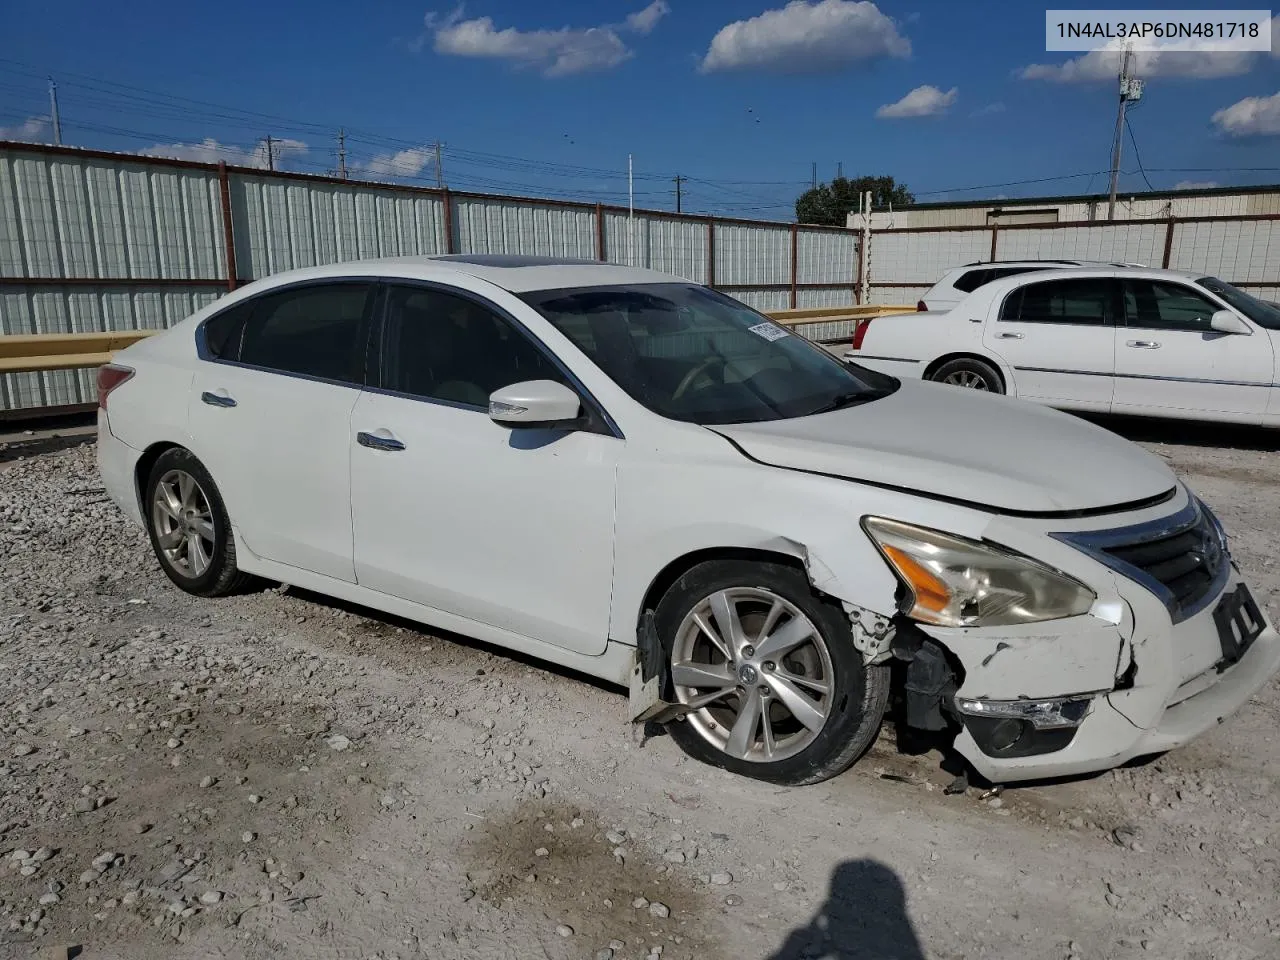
93,241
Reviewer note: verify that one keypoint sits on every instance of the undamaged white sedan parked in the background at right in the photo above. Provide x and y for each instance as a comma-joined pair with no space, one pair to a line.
1122,341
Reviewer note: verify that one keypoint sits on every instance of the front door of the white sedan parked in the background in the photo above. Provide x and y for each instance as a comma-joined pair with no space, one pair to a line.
1169,359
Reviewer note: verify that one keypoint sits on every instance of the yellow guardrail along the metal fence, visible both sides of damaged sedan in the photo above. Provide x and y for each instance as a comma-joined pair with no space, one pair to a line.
25,354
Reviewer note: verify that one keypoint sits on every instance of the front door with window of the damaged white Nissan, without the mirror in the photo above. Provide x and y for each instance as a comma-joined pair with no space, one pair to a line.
509,528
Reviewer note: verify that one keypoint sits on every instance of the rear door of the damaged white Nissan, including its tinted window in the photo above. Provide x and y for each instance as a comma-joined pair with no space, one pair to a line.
269,413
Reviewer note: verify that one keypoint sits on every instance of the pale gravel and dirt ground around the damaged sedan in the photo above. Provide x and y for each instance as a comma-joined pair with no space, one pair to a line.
276,776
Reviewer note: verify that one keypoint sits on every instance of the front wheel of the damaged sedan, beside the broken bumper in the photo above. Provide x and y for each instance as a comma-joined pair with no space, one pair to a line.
781,693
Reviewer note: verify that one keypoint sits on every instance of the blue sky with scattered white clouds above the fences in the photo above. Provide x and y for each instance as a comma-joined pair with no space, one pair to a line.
740,97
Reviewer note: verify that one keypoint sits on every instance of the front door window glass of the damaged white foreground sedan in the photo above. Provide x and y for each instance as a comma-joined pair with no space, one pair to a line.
451,349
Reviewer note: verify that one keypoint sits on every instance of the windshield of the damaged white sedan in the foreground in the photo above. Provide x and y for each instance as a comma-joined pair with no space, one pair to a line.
692,354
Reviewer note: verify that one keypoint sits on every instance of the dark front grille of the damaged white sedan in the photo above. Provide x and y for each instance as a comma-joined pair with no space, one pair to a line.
1182,560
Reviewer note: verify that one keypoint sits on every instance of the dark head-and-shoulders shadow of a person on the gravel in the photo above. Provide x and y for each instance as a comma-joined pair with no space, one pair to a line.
865,918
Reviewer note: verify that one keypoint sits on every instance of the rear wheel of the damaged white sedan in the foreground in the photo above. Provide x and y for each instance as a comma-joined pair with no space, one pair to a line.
189,527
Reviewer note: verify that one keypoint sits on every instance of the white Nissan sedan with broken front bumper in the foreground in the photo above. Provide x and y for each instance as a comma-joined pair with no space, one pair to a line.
643,479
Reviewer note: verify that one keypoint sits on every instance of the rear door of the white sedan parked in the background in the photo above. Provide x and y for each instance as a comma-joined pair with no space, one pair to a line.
1059,339
